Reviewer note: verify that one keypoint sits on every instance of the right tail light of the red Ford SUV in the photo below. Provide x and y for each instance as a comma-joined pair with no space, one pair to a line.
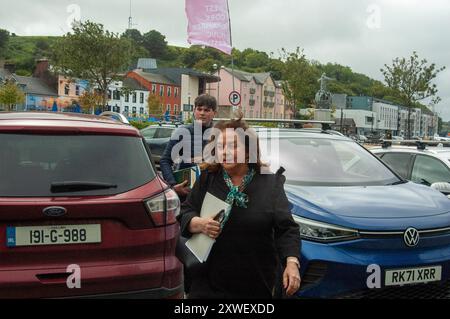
164,208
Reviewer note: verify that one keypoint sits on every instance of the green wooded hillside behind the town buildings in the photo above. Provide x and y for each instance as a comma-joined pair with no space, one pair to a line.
24,51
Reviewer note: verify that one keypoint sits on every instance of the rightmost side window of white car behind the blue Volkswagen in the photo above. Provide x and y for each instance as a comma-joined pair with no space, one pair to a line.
428,170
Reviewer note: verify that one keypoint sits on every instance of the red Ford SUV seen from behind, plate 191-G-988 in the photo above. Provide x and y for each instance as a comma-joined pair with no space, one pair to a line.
82,191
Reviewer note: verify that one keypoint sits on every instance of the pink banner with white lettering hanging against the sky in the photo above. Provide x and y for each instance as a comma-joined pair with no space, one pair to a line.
209,24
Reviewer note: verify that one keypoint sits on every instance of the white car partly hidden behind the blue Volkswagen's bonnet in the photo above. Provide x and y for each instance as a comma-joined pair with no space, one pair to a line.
423,166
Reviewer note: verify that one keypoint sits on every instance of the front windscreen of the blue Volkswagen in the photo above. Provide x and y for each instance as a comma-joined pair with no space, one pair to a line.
329,162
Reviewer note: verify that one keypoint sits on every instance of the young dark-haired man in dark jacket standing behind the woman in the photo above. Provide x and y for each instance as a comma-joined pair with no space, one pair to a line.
192,136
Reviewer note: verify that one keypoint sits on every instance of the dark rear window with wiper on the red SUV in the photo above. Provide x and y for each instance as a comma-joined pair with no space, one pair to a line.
31,165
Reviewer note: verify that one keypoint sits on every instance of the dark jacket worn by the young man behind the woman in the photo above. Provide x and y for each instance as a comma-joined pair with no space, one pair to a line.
166,163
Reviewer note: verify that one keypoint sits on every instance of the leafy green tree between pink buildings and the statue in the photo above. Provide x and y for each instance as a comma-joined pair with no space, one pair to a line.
300,85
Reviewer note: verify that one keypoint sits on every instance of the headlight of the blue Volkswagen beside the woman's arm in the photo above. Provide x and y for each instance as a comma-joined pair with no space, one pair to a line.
318,231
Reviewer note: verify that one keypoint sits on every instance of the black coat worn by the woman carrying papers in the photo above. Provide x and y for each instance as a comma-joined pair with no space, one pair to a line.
244,260
